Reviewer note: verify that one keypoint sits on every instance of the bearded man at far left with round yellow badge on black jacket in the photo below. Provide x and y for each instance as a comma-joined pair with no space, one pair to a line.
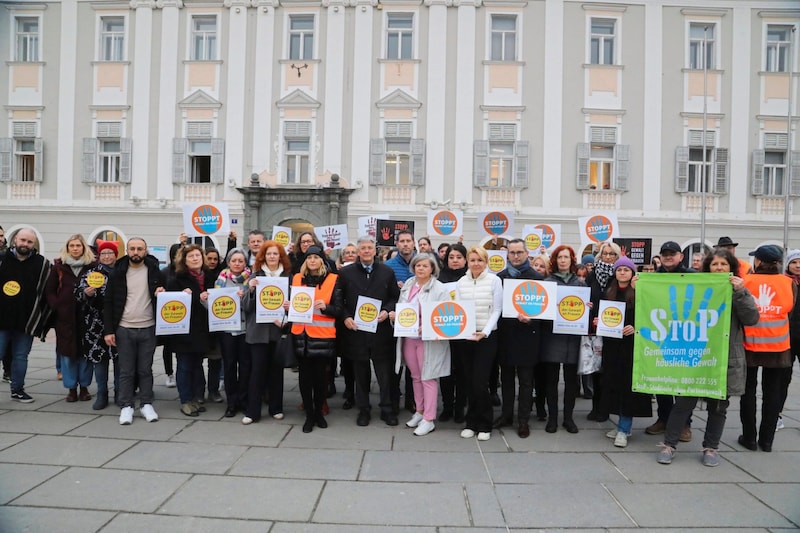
23,308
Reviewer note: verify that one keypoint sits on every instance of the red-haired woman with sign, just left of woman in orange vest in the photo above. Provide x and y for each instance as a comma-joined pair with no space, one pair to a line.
267,368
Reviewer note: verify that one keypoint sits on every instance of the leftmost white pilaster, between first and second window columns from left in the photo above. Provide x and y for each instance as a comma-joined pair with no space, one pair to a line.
65,172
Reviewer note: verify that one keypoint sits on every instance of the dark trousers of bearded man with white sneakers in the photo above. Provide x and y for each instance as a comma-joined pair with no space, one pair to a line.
136,347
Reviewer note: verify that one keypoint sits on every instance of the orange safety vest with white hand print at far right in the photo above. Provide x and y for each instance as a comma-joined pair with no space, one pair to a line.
771,334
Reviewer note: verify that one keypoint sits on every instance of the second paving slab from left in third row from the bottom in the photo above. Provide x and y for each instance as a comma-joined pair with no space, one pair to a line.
178,457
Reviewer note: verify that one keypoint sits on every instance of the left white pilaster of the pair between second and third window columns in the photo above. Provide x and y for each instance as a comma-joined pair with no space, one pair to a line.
139,129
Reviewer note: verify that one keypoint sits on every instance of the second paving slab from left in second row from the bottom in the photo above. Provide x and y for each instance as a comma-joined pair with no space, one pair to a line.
105,489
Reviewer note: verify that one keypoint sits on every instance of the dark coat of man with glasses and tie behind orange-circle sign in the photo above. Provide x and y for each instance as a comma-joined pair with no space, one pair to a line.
519,343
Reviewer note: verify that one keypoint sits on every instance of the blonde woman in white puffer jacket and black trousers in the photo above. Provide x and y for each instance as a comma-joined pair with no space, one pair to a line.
477,354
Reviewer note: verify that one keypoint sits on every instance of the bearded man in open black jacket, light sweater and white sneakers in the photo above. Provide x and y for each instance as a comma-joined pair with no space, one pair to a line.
129,324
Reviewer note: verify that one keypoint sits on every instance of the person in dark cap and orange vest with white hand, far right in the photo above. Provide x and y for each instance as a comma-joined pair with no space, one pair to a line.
766,345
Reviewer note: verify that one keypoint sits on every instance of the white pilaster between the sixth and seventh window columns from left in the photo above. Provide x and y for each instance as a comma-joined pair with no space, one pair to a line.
553,101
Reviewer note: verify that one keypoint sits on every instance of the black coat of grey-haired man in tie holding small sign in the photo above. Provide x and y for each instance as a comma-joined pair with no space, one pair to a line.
381,284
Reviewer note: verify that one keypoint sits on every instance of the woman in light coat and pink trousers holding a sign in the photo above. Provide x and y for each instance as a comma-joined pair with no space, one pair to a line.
427,360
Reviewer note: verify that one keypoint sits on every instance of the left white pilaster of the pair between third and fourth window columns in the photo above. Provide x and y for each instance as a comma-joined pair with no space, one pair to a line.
235,168
